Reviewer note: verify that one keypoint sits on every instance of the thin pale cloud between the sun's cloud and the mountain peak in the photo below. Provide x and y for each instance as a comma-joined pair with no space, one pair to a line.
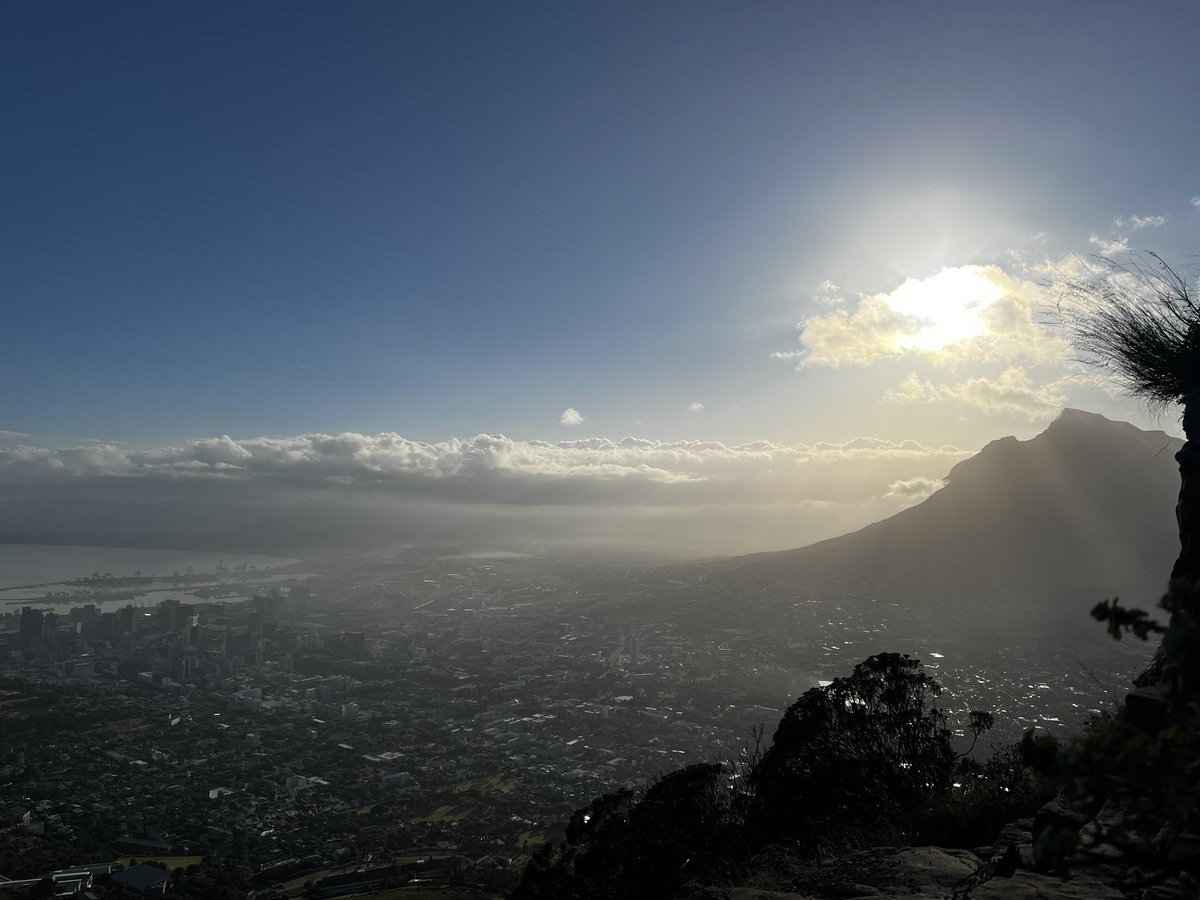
1013,394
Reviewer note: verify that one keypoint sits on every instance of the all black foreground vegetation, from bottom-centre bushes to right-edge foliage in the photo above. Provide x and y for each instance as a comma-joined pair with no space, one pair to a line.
871,760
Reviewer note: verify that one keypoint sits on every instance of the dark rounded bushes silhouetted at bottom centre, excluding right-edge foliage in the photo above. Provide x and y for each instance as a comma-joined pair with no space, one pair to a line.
867,760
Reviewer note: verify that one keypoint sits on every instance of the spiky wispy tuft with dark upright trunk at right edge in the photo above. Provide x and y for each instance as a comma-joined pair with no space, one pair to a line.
1141,322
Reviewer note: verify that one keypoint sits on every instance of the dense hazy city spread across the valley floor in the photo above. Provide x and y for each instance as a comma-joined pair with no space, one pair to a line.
425,719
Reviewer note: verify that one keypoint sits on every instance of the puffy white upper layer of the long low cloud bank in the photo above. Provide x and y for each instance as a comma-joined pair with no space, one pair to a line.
499,470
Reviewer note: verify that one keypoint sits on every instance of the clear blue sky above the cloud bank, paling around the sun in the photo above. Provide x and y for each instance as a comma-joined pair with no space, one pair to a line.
452,219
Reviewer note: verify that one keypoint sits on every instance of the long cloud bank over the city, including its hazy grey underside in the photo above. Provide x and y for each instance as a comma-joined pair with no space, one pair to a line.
682,497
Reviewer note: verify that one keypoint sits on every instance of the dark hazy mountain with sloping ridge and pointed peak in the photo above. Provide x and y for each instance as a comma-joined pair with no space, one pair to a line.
1082,513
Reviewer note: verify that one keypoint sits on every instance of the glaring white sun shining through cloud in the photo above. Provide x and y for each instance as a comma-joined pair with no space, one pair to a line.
944,309
